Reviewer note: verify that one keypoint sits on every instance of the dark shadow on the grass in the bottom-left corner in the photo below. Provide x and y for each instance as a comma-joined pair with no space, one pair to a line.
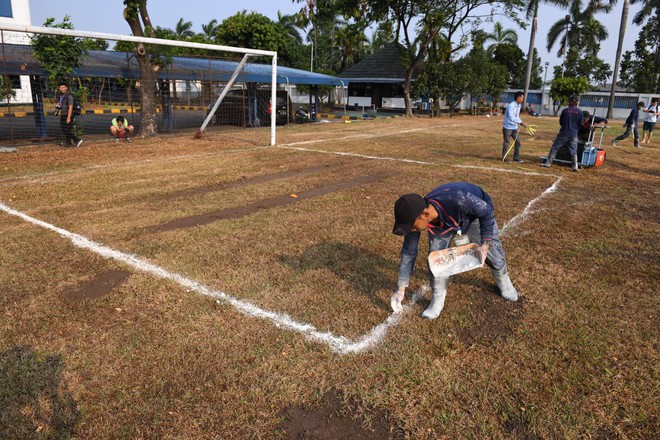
34,402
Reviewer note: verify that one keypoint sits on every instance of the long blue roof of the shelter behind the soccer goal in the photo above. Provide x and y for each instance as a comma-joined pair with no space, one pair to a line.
19,60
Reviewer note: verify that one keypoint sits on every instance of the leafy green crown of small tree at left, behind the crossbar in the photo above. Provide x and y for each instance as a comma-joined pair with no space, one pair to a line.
59,55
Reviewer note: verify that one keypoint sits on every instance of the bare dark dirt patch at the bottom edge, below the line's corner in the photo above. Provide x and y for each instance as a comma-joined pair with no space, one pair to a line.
332,422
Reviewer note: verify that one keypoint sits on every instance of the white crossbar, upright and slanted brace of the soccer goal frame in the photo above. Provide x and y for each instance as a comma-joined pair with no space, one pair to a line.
176,43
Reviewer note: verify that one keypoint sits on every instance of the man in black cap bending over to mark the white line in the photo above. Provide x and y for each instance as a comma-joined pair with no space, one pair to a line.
449,210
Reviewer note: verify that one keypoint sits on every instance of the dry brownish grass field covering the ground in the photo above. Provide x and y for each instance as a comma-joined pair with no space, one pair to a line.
218,288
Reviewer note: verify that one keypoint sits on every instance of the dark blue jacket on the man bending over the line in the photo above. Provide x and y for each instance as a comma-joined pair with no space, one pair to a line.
463,202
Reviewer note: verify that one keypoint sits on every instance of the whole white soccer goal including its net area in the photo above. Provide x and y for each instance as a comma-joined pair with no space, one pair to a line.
213,91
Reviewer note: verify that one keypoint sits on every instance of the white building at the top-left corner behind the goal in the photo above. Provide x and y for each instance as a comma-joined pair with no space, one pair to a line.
17,12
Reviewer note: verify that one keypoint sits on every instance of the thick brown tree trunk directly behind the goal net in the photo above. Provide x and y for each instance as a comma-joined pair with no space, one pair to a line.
137,17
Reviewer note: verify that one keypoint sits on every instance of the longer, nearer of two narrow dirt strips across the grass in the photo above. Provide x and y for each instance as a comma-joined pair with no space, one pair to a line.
272,202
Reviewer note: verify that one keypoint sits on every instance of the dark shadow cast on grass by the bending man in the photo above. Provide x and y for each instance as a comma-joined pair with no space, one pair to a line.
364,270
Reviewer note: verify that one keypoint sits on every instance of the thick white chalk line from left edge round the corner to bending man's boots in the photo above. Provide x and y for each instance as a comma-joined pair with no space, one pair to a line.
339,344
